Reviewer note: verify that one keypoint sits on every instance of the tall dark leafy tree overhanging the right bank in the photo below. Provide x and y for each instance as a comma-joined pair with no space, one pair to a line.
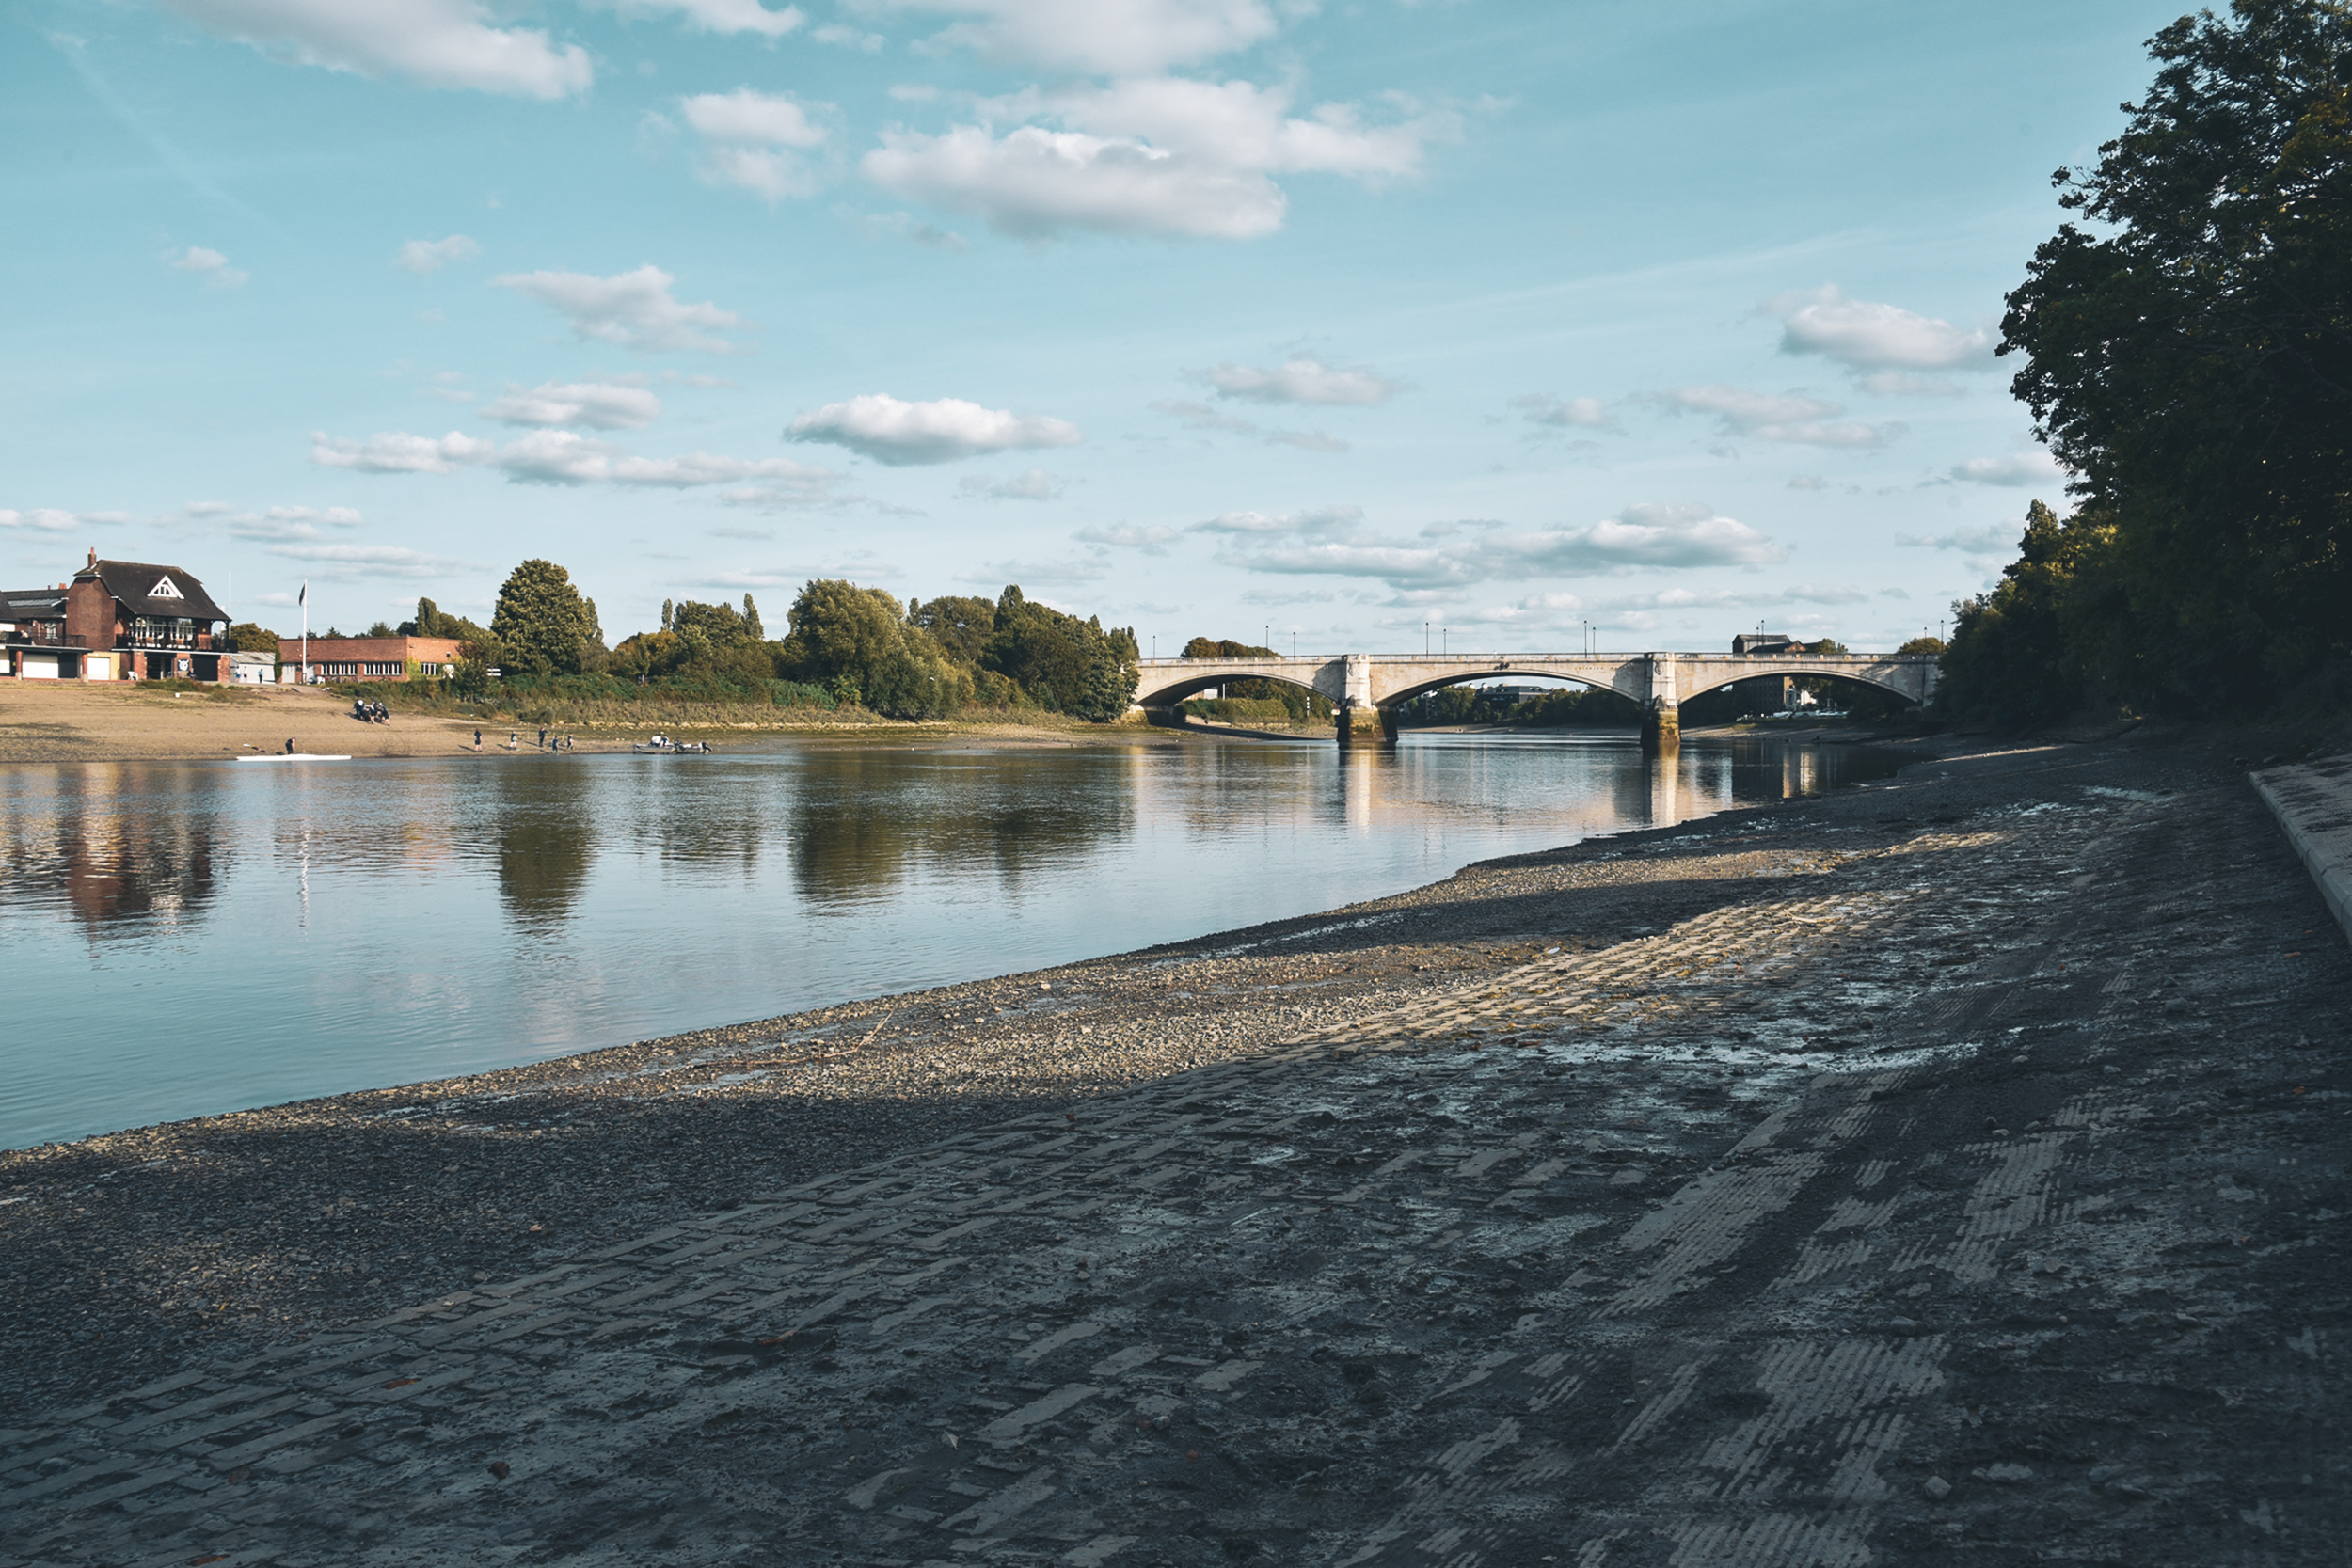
2189,349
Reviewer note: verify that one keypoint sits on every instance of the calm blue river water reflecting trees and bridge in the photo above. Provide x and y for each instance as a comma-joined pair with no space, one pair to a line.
189,939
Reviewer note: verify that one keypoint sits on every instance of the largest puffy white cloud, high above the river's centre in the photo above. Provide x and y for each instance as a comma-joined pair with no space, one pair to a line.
1147,156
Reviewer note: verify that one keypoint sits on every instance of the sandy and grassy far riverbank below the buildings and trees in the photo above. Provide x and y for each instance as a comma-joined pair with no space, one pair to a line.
135,723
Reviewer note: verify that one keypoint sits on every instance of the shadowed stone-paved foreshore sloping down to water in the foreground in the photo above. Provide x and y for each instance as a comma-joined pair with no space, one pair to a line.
1939,1172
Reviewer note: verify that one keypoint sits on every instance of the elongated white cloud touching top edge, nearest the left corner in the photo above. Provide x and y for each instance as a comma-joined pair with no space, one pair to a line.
441,43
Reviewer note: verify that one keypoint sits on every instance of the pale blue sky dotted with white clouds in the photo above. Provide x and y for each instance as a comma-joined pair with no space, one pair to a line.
1354,328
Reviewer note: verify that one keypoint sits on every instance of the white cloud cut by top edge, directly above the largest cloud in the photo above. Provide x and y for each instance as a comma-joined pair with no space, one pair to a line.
1100,36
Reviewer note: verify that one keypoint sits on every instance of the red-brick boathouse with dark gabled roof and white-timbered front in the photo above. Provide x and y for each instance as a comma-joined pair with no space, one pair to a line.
114,622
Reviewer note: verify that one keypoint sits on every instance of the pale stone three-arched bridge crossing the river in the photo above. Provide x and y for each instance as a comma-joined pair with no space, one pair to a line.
1368,685
